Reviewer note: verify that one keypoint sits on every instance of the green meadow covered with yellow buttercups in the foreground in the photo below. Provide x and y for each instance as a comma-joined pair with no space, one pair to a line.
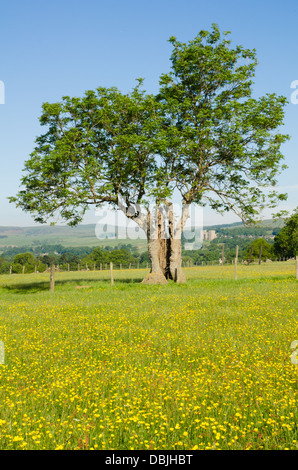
206,365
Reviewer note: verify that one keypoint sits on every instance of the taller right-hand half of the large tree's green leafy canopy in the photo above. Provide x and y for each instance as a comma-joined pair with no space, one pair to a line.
220,142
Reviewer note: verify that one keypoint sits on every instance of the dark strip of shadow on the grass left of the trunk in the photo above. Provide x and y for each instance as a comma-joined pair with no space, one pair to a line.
43,286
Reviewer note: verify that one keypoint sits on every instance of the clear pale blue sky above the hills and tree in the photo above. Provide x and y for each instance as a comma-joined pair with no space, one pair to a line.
51,49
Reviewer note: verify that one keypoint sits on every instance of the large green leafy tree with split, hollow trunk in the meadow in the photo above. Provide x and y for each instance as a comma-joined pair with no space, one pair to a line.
203,136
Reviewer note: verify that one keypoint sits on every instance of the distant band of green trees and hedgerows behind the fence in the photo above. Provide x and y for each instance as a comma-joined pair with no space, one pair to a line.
38,258
